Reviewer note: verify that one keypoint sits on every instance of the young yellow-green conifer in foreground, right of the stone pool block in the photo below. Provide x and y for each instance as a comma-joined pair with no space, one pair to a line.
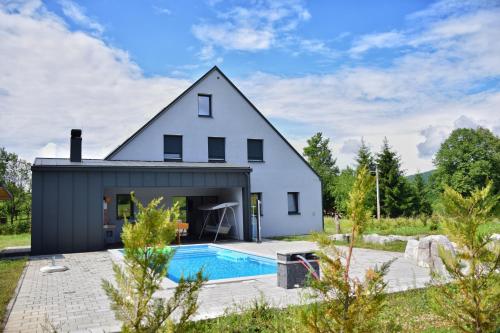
346,303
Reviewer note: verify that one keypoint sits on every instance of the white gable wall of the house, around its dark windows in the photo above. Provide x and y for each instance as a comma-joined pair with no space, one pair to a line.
233,118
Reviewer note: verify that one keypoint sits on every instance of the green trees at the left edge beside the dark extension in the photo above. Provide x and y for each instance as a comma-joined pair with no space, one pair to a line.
15,176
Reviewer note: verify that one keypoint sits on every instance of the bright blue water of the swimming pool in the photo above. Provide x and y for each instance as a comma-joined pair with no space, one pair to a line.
217,263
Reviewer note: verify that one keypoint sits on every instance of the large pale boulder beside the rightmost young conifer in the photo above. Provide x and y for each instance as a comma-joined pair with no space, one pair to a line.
426,252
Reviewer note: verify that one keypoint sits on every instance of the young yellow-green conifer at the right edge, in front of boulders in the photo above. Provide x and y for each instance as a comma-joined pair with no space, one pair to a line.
470,298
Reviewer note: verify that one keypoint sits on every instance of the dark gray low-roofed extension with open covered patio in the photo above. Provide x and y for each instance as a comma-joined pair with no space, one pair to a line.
76,204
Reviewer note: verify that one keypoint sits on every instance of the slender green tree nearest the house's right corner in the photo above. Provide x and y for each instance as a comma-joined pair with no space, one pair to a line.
321,160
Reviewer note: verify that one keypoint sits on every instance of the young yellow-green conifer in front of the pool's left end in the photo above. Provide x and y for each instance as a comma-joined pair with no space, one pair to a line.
146,259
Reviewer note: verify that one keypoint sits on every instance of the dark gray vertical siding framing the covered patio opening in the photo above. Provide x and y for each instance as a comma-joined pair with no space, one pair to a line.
67,204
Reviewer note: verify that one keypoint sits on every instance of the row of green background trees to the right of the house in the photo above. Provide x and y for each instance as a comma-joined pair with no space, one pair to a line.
466,160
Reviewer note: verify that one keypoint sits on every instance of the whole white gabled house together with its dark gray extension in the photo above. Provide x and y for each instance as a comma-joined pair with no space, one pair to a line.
209,145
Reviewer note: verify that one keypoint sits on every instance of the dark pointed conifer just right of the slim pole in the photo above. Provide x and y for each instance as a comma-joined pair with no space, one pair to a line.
394,192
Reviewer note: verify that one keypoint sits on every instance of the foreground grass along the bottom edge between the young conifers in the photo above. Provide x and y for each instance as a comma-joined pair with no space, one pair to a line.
405,312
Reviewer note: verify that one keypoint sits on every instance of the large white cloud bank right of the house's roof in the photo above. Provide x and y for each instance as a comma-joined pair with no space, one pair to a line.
431,85
